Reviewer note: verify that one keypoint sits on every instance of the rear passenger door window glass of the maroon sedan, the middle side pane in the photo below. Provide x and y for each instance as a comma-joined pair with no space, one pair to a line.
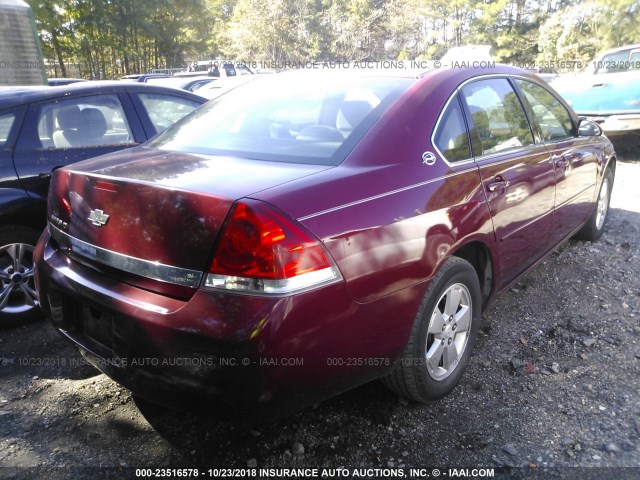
497,115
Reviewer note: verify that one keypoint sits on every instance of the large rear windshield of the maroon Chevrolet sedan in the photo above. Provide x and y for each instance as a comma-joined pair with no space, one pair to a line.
303,118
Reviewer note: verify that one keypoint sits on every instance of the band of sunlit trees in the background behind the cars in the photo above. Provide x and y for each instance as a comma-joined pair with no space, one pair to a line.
109,38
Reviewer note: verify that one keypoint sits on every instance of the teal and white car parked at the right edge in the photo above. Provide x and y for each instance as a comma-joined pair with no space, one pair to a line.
608,92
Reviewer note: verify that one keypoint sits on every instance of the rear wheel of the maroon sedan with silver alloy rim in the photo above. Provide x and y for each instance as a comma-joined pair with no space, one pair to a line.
442,337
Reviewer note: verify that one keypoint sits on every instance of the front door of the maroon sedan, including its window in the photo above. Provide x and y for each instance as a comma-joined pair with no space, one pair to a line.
573,158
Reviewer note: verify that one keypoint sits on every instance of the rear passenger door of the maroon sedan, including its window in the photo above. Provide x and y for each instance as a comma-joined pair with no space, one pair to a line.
517,175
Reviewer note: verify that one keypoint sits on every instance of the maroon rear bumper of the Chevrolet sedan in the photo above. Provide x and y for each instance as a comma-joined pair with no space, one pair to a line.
230,353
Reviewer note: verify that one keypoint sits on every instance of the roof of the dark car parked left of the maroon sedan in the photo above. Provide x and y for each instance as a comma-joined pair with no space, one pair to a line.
20,95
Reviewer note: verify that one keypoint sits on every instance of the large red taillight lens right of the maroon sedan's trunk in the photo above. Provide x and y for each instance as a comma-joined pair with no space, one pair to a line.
259,242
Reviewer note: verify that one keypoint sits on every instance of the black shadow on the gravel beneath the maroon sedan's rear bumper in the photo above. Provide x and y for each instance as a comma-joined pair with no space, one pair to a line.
214,441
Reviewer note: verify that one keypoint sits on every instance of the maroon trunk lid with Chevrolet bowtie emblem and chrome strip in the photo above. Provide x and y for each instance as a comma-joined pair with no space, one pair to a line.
152,214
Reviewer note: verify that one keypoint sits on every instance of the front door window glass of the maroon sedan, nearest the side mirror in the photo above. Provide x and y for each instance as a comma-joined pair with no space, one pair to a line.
552,117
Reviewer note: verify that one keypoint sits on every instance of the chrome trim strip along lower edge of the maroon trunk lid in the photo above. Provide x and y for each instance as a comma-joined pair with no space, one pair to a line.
137,266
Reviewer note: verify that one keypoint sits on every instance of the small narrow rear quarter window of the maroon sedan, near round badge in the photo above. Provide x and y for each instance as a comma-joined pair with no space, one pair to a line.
451,137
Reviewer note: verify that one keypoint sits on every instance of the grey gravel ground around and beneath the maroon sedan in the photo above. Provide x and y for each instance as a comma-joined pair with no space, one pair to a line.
551,388
